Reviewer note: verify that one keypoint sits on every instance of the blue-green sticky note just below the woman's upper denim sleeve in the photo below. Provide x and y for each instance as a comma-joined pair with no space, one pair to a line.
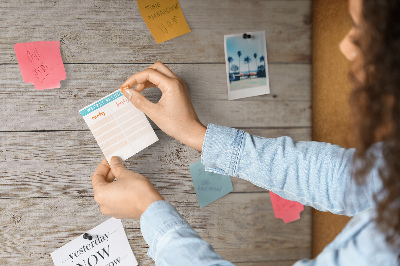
209,186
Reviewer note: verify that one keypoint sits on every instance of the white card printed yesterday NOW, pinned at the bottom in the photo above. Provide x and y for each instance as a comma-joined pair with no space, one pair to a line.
108,247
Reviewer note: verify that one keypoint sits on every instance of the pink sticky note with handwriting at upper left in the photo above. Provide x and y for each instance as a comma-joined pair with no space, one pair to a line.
41,63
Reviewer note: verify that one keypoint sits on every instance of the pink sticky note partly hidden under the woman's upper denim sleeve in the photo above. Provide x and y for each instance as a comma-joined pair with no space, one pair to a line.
284,209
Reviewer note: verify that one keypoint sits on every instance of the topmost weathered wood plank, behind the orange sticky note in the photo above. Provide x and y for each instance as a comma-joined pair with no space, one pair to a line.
102,31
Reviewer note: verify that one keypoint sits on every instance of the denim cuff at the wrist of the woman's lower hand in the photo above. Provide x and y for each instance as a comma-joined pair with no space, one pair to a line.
157,220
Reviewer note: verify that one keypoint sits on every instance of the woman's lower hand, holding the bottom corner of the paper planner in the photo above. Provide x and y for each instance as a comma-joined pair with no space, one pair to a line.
128,196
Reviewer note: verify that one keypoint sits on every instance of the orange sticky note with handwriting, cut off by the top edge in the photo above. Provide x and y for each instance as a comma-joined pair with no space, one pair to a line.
164,18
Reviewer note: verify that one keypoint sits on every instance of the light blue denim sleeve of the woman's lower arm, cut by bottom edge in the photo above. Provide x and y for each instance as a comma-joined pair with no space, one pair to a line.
172,241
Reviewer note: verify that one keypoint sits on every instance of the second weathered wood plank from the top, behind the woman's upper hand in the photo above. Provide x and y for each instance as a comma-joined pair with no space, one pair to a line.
289,103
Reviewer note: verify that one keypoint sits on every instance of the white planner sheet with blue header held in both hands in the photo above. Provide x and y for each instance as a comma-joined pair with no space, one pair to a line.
118,126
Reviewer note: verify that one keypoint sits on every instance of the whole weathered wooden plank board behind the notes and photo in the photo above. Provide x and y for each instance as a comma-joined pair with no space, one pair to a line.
47,153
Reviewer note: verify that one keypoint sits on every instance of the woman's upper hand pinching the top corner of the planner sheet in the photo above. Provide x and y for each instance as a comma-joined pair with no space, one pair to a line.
173,113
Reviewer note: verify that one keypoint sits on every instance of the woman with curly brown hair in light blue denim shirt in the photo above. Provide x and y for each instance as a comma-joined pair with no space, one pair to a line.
320,175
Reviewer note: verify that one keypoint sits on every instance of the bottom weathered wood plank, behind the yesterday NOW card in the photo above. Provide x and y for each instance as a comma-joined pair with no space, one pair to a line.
32,228
